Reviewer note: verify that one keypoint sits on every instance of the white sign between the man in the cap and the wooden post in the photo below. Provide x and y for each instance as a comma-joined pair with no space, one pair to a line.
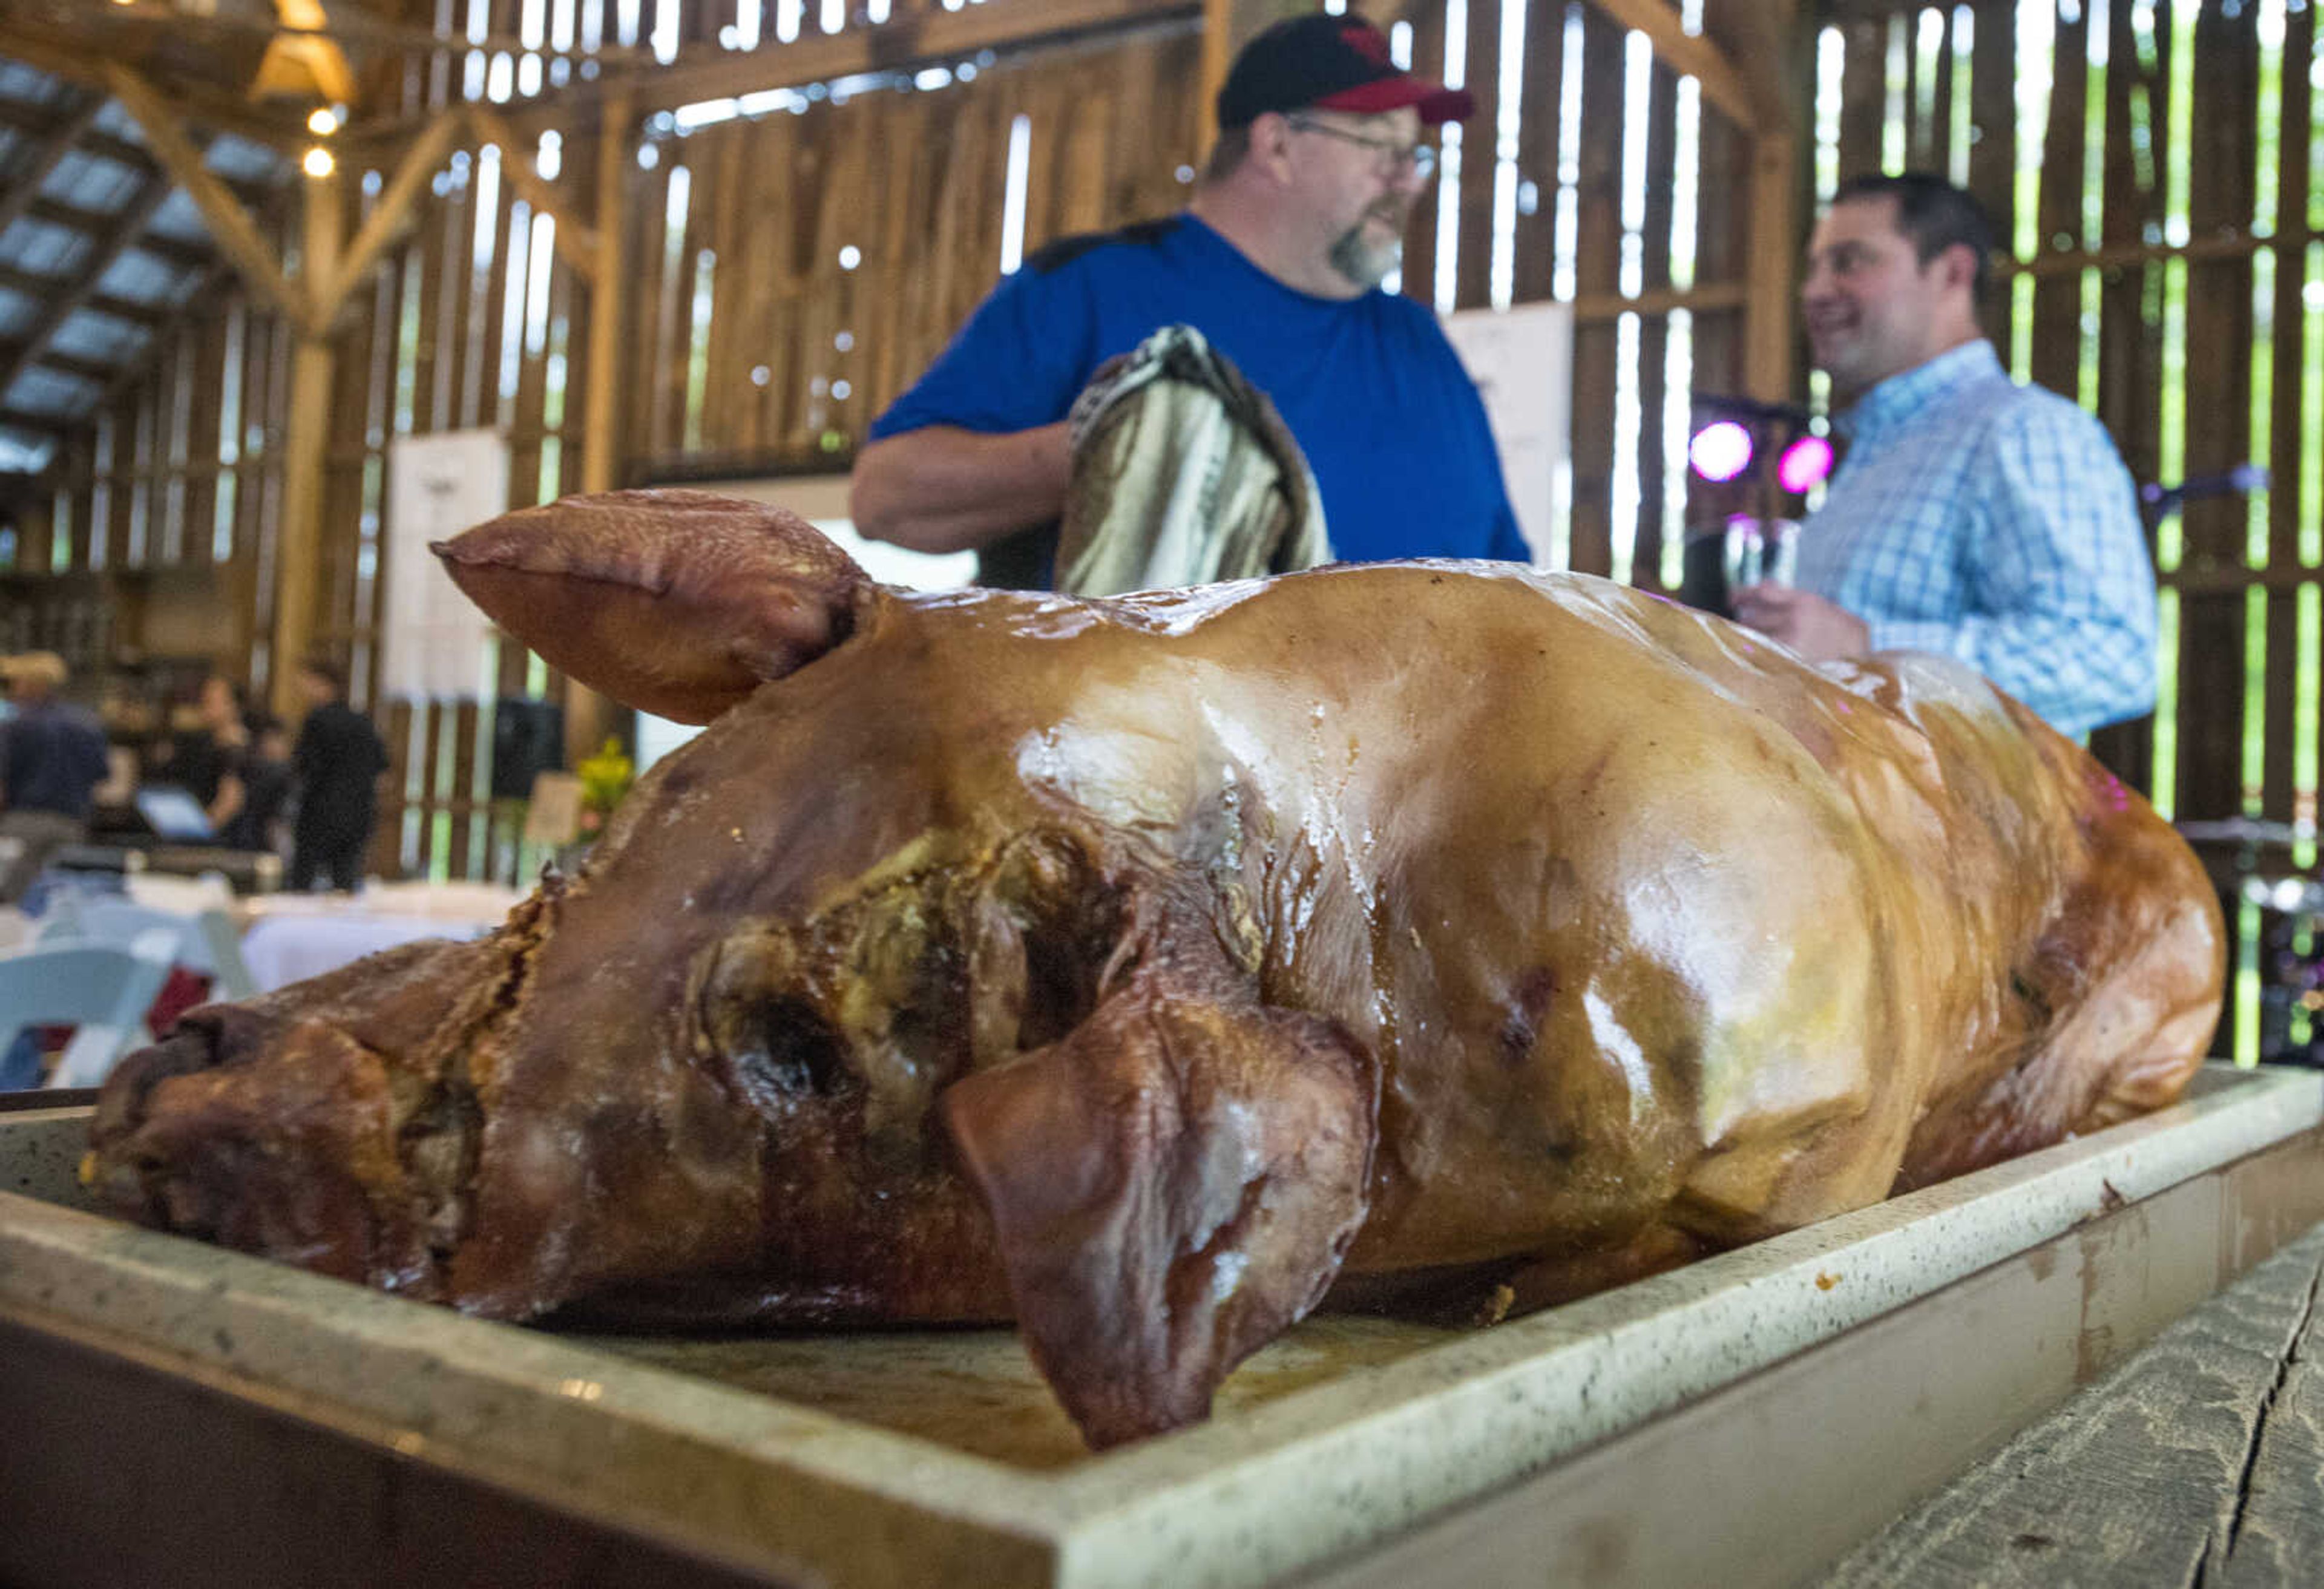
1523,368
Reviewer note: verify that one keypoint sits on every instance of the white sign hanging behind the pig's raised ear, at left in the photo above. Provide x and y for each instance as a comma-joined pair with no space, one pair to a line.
438,487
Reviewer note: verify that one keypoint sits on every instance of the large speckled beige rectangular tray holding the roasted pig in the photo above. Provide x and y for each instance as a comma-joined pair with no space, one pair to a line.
1749,1416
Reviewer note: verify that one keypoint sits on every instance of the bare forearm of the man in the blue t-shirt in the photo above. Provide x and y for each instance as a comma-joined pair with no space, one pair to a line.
945,489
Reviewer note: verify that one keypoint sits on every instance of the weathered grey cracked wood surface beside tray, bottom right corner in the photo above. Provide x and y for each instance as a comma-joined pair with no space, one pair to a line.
2202,1460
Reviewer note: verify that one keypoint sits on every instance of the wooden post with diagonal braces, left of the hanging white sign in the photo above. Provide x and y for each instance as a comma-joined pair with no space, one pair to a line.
299,549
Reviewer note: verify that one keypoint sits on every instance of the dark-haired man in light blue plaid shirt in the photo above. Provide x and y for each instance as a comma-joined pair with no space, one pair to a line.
1972,517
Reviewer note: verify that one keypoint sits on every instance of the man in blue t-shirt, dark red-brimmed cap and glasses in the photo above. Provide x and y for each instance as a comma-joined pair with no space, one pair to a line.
1279,264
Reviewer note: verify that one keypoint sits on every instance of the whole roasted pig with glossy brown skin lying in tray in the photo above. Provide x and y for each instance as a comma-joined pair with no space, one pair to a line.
1138,970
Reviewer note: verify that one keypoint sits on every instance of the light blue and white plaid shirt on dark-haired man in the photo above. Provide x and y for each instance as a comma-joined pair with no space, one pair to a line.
1993,524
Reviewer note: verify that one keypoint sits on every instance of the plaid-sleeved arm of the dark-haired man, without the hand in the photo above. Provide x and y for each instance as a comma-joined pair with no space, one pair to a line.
2065,584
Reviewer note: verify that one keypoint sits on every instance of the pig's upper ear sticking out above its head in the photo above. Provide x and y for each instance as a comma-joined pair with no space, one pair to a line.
677,603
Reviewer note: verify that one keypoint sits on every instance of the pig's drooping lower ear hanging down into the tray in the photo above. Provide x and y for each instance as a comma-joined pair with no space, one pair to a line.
1172,1184
